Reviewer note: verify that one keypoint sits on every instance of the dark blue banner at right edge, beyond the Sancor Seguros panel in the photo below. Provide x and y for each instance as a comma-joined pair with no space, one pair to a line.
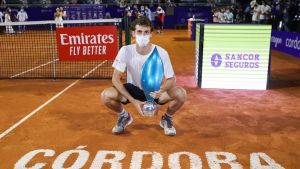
286,42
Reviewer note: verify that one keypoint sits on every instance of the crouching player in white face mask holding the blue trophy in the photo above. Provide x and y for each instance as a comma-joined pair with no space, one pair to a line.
131,58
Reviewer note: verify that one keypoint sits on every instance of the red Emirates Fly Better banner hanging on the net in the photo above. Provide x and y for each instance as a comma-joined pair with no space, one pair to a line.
87,43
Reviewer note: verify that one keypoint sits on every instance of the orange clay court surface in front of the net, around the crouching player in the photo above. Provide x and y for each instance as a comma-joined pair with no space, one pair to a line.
66,115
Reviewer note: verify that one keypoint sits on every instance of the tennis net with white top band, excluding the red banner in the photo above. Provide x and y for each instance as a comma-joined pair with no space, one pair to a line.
30,50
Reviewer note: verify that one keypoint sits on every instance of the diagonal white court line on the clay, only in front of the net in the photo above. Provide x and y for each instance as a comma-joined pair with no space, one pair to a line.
36,110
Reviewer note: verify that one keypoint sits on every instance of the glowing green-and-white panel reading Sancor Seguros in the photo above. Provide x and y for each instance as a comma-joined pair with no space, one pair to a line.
235,56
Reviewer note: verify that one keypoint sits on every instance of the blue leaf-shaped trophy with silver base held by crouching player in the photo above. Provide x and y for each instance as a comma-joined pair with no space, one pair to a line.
151,79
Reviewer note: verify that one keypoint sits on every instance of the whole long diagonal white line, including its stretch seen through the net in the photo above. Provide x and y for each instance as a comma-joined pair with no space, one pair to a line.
47,102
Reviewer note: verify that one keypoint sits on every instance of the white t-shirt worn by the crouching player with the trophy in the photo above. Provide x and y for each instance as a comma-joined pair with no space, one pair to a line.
129,58
